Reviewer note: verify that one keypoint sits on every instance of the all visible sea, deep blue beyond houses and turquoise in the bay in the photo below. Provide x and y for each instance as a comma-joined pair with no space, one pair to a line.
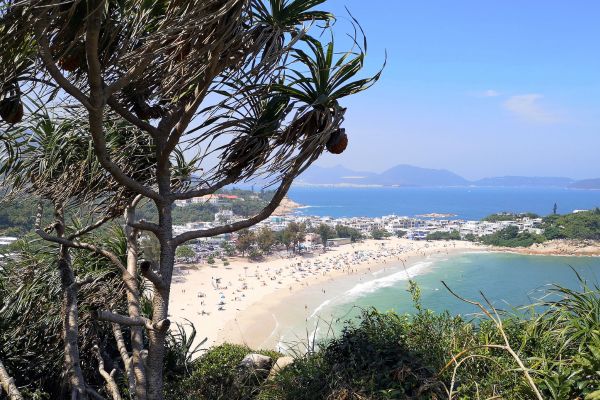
511,282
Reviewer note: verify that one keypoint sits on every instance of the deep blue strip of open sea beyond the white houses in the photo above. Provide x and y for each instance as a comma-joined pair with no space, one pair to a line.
467,202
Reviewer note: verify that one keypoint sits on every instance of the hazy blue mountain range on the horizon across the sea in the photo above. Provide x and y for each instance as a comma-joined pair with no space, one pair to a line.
408,175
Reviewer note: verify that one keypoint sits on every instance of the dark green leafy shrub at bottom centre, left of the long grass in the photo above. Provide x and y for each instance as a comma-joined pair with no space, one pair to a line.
370,360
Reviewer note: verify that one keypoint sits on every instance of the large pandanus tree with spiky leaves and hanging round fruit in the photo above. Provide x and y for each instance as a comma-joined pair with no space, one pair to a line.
101,99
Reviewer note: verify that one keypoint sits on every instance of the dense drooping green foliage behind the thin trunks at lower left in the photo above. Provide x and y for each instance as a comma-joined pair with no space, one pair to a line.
30,314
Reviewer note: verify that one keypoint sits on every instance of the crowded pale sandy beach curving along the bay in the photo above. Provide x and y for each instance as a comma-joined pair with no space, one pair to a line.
232,303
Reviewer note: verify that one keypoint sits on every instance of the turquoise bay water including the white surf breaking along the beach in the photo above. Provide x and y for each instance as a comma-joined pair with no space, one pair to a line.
507,280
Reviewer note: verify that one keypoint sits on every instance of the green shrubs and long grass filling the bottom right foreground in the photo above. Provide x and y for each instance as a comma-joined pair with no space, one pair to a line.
429,356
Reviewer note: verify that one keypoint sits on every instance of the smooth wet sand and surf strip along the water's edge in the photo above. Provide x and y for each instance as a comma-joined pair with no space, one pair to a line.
274,322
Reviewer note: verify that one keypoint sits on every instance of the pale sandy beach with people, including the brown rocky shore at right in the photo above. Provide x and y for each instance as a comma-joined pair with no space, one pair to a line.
258,299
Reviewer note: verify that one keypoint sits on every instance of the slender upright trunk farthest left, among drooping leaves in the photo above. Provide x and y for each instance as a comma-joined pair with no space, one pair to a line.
70,314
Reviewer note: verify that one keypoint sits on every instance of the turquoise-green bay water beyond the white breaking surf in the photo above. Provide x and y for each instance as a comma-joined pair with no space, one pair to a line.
508,280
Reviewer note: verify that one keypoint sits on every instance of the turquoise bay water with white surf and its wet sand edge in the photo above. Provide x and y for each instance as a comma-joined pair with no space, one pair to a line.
512,283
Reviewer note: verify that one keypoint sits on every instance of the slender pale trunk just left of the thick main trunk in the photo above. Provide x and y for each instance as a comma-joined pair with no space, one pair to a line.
133,306
